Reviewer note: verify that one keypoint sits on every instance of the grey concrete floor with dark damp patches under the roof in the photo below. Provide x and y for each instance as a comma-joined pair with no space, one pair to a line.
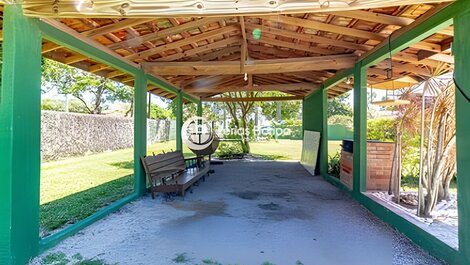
248,213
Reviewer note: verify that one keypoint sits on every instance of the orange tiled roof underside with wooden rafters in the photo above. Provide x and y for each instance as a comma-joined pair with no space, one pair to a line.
207,56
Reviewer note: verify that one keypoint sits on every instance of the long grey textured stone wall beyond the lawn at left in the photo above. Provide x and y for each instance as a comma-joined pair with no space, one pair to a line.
71,134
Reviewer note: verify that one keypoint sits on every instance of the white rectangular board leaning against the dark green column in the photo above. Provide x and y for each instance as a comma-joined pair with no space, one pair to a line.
310,146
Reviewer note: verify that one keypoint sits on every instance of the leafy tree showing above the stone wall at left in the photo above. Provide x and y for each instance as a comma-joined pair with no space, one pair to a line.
83,85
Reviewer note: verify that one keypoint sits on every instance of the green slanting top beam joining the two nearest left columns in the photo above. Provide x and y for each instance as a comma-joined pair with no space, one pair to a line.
77,44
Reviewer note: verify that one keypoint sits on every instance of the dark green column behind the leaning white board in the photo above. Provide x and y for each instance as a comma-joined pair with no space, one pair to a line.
314,118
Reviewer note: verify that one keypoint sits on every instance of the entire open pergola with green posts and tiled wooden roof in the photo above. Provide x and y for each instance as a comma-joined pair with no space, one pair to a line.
199,51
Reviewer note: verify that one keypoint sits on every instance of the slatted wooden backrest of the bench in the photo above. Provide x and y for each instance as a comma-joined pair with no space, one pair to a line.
163,165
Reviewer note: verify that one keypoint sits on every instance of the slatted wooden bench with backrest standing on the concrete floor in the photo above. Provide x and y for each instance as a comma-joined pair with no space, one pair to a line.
172,173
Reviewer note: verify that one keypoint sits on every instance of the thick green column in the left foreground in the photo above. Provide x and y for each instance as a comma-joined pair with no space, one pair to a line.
20,137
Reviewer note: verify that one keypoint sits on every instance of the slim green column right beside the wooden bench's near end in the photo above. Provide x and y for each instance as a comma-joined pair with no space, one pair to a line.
140,131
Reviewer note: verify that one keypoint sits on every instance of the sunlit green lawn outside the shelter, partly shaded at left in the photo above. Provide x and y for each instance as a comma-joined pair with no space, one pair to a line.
74,188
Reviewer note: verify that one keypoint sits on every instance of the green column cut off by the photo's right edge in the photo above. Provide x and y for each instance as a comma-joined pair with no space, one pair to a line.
461,49
